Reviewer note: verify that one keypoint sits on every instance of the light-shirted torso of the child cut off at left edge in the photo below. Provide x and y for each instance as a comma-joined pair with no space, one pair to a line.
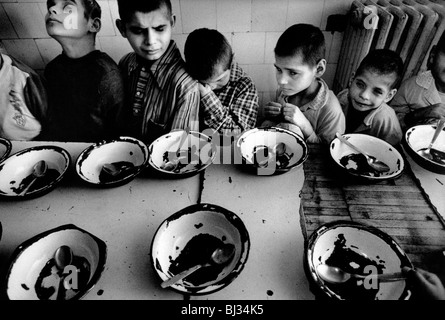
23,100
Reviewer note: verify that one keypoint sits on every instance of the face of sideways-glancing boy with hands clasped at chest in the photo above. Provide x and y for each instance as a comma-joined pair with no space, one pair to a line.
293,75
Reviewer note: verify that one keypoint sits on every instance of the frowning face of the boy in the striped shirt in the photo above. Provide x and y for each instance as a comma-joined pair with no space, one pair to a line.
149,34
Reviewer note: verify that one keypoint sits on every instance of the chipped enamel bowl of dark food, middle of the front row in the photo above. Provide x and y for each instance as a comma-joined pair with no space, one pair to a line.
189,237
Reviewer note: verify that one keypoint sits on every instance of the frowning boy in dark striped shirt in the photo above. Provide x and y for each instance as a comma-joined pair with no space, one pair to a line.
161,95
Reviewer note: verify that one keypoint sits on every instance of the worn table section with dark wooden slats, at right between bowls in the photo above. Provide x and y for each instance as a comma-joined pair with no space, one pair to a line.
406,208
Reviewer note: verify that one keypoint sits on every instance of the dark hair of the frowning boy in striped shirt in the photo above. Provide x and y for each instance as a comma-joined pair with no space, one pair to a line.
128,7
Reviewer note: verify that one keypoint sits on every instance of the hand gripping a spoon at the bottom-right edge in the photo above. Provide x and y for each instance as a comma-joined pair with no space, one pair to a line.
427,283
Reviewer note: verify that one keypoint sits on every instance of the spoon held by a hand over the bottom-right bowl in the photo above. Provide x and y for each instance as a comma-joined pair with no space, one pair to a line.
336,275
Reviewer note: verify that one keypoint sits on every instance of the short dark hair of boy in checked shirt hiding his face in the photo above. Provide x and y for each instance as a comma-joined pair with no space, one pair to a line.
204,50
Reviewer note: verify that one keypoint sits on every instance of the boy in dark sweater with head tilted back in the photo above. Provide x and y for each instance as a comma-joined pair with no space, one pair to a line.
85,87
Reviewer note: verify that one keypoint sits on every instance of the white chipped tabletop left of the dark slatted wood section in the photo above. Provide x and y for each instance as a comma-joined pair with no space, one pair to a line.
127,217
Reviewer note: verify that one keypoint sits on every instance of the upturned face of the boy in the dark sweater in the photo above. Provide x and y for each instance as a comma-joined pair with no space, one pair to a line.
66,19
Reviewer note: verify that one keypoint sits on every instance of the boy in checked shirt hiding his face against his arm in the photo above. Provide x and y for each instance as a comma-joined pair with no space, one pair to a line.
229,99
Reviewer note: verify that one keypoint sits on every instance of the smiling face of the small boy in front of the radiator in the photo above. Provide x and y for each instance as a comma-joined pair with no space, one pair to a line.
369,90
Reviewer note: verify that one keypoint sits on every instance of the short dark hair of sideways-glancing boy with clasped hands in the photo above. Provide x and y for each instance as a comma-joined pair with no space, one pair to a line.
302,39
